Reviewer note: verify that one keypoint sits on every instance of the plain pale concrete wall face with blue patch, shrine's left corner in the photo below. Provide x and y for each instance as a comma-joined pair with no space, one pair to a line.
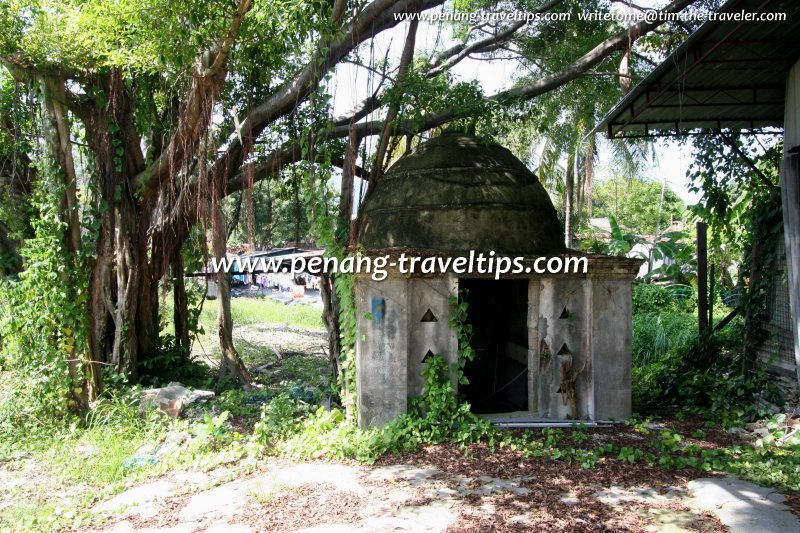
381,350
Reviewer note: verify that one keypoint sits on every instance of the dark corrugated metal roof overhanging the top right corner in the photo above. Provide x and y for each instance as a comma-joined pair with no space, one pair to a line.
726,75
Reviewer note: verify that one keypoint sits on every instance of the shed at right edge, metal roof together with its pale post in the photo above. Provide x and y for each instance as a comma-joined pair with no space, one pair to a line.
734,74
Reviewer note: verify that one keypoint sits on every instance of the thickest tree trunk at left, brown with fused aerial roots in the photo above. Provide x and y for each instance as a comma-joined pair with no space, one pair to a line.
127,267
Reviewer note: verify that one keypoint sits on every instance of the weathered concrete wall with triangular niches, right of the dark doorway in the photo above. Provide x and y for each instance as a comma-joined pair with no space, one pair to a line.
588,322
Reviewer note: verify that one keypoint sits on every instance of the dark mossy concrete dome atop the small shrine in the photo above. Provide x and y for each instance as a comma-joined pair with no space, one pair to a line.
455,194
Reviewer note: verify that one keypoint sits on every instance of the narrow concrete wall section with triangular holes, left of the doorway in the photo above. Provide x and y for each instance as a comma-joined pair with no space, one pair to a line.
427,335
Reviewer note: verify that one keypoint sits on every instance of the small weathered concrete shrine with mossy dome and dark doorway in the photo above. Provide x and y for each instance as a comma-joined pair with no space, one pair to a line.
548,346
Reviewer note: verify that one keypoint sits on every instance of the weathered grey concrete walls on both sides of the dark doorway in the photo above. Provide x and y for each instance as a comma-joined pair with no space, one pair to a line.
586,322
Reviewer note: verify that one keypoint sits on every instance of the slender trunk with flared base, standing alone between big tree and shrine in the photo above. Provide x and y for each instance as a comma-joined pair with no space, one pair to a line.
231,366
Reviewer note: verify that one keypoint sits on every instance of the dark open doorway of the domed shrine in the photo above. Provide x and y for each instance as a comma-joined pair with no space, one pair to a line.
498,376
